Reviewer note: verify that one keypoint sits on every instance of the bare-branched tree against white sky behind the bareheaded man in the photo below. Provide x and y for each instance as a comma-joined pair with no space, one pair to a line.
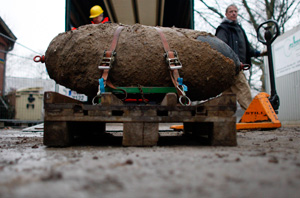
251,13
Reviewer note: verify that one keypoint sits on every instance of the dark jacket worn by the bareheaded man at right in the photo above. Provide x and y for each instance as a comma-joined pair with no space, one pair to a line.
233,39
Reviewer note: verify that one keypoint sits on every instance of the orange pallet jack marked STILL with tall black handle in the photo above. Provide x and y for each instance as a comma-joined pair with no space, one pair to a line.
262,111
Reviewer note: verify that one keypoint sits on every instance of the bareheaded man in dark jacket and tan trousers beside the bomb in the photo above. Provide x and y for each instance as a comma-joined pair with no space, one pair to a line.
234,35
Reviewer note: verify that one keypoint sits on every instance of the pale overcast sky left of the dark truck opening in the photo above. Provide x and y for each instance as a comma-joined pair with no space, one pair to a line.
34,22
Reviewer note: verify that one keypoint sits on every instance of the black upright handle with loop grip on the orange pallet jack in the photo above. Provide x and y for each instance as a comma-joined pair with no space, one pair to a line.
271,32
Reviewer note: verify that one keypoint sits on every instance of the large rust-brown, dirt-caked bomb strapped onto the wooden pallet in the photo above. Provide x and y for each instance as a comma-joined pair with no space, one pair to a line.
208,68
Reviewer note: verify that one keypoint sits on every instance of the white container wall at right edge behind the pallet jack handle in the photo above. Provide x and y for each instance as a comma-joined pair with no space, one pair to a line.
286,60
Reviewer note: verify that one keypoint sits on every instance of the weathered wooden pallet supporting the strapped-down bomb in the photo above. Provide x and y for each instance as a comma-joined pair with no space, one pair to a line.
66,118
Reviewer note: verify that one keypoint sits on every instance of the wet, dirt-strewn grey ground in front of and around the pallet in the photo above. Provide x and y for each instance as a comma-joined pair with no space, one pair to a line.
264,164
